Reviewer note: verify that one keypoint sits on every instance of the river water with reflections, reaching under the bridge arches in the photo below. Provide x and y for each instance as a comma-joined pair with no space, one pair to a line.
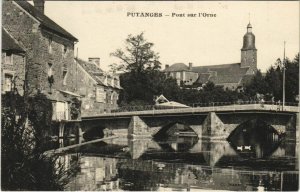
184,162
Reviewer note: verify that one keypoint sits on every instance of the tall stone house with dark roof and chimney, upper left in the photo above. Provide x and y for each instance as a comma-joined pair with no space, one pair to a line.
49,52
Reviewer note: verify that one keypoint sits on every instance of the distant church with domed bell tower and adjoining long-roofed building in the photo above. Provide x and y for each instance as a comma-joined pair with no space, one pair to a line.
229,76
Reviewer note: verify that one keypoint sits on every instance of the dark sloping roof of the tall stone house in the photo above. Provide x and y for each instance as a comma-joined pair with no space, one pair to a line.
46,22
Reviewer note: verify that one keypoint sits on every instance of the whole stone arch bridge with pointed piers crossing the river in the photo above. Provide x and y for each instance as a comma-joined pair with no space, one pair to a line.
206,122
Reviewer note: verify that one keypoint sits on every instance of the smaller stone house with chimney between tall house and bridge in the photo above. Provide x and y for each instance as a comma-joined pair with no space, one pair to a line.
99,90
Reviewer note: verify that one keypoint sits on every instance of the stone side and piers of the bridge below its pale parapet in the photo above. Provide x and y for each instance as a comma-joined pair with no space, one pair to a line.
212,125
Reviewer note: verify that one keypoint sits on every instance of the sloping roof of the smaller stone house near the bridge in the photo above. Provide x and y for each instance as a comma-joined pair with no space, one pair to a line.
95,72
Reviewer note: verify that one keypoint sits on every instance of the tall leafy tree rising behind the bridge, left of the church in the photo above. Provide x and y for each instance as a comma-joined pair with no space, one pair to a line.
142,79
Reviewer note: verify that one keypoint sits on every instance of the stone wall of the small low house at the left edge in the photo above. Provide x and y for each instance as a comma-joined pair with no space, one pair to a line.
16,69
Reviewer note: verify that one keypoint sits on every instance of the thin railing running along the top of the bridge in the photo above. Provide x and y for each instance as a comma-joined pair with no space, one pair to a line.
197,105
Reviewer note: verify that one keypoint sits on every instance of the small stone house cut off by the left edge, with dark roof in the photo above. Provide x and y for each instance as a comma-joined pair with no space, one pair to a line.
13,64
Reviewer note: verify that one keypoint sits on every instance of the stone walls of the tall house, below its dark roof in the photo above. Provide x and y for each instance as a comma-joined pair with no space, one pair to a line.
26,30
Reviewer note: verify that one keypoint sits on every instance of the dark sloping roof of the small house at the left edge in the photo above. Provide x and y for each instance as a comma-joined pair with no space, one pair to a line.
8,43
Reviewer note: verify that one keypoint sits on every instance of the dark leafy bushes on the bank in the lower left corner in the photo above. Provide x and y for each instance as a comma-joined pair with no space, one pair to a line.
24,166
